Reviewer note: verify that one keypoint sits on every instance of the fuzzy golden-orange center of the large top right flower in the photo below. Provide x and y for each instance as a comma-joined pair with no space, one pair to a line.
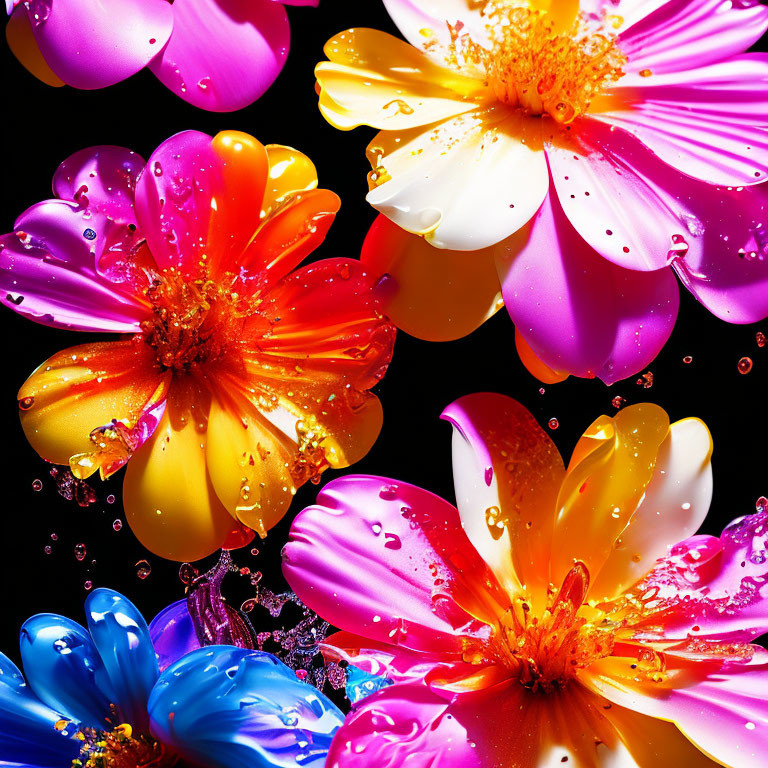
532,66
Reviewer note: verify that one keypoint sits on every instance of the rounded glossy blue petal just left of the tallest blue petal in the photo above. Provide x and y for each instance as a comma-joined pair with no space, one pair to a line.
65,670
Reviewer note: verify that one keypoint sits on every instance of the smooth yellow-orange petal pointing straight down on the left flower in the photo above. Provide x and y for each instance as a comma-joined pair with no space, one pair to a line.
170,502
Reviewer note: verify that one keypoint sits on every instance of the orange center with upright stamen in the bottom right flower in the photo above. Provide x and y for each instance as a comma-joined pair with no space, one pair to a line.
546,651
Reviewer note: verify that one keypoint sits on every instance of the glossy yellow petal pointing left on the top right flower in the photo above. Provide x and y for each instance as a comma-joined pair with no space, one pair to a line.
376,79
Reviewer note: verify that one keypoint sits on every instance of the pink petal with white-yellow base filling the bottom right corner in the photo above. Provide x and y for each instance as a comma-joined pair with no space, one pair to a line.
725,714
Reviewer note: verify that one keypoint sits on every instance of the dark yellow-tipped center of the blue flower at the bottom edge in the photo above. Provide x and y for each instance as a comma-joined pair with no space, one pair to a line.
121,749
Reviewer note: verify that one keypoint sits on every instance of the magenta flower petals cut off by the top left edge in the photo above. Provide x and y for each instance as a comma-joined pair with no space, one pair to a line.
219,55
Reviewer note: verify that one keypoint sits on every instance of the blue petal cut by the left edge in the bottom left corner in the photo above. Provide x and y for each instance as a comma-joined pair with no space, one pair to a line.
27,732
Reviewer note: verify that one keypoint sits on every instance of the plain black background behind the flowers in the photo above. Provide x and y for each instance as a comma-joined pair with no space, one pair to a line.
43,125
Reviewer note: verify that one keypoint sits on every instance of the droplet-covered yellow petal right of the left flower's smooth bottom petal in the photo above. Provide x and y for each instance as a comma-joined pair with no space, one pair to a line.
249,462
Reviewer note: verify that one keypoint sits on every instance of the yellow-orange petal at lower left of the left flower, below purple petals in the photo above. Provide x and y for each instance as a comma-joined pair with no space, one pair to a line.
83,388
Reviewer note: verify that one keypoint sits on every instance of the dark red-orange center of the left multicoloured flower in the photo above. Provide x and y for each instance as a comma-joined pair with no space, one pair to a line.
193,322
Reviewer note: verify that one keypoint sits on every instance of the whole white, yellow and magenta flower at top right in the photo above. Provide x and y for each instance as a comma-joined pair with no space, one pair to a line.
580,150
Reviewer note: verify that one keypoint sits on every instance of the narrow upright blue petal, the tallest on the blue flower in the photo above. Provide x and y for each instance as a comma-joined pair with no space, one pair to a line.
121,637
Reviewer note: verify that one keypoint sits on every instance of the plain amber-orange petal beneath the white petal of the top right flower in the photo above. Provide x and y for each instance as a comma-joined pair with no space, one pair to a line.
431,293
